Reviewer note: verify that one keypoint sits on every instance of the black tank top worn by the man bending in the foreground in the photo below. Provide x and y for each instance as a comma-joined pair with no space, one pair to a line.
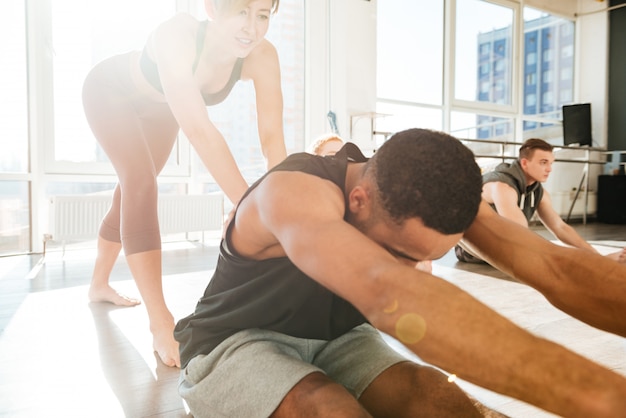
270,294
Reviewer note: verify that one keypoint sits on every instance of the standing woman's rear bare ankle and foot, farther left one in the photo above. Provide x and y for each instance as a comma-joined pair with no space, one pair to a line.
99,289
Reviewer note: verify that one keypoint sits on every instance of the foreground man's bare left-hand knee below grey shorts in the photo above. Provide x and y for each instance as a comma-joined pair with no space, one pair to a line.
318,396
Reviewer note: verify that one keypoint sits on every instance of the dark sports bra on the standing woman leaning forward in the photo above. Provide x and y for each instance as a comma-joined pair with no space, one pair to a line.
151,72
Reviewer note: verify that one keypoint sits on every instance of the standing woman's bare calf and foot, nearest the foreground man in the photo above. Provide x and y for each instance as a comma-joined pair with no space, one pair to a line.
146,270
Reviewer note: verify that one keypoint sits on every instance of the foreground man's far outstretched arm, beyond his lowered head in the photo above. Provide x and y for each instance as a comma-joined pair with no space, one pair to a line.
583,284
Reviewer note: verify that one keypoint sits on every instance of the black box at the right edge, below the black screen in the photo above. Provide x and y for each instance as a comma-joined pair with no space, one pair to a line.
612,199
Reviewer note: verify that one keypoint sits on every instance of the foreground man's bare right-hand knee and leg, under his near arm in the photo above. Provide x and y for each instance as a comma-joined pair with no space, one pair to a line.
411,390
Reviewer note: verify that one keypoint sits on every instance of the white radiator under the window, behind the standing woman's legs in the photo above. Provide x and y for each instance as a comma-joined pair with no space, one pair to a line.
79,217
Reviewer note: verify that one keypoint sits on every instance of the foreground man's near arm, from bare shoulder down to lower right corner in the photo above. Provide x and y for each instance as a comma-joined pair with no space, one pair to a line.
439,322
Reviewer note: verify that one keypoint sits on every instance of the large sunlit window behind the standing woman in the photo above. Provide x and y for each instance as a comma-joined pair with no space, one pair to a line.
66,39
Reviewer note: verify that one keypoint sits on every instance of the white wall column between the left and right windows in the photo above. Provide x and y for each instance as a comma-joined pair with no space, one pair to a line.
347,53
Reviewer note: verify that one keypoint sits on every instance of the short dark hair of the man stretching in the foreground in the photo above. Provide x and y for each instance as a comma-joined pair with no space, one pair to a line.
429,175
